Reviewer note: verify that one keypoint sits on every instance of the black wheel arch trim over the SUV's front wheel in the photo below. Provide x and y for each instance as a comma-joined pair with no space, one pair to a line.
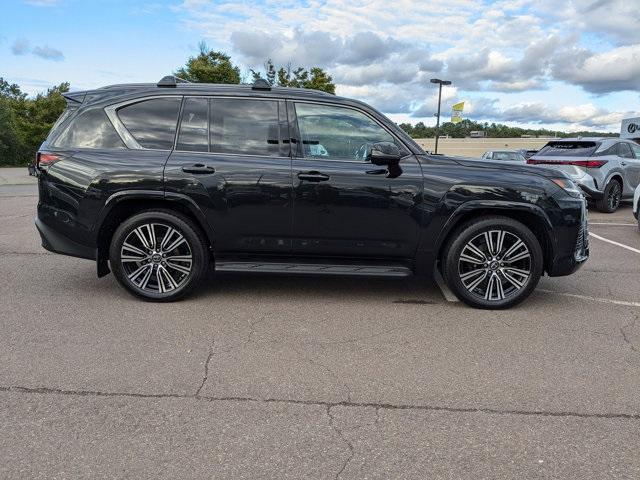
532,216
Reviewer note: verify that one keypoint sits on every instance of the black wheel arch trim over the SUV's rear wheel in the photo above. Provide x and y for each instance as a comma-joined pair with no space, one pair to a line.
123,205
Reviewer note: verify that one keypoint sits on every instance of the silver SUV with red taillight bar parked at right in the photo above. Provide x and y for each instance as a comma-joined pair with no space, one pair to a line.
606,169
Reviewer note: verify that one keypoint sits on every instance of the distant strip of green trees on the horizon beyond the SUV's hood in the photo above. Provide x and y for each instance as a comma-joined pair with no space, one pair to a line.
496,130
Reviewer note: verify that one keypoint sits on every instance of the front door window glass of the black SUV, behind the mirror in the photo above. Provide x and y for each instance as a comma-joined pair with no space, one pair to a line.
337,132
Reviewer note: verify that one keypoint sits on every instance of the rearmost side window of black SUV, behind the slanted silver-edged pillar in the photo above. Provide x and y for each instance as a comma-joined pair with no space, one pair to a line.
90,129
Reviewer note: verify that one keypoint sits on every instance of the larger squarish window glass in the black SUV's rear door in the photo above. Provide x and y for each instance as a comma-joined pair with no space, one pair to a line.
245,126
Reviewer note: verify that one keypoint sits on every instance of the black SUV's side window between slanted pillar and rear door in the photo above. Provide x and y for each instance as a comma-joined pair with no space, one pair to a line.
152,122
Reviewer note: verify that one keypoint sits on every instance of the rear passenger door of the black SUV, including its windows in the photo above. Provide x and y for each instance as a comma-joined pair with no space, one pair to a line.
232,158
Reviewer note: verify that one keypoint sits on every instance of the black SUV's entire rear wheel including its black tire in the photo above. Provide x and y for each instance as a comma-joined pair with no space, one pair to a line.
172,281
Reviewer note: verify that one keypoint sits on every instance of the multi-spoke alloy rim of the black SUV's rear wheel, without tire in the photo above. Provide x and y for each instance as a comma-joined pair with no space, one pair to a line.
156,258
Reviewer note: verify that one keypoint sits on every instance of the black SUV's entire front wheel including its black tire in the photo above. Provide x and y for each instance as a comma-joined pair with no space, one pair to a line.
454,268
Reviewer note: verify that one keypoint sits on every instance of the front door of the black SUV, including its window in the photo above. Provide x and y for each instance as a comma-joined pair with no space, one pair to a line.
343,204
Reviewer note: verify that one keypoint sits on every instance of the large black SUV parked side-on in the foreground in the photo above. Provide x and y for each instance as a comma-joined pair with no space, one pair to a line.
162,182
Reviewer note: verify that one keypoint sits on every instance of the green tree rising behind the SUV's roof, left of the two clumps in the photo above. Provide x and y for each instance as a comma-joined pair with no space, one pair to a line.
209,67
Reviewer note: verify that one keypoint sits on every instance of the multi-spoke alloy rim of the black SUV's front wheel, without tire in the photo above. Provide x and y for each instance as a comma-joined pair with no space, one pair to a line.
495,265
